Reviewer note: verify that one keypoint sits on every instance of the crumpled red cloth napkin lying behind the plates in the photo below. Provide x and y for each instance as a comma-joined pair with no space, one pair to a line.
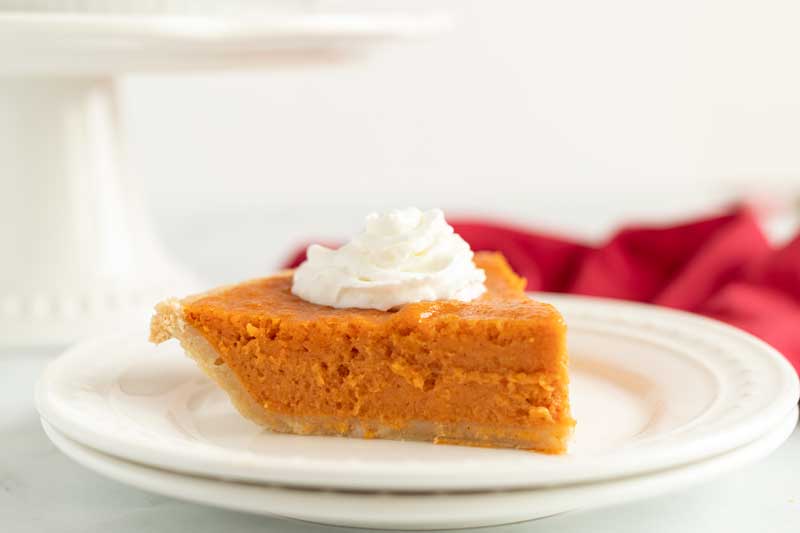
720,267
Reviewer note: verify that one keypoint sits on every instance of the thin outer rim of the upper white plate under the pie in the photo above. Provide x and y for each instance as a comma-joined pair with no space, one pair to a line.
746,432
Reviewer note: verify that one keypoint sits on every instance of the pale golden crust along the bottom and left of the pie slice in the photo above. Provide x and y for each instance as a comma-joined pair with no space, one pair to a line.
168,323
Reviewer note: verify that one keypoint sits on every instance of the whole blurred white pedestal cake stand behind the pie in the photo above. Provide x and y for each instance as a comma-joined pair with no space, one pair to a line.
78,254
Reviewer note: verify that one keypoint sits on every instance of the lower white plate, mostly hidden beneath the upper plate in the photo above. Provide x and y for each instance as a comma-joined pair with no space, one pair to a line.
417,511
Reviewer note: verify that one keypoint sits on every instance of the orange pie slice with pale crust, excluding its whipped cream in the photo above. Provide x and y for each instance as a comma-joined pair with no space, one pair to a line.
488,372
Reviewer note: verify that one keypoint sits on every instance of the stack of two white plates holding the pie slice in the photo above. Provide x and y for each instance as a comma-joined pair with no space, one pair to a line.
663,399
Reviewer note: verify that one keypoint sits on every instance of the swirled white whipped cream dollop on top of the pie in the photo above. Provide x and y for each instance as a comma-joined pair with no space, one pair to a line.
402,256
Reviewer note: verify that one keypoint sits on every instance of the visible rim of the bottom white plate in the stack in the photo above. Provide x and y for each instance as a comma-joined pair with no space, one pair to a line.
605,492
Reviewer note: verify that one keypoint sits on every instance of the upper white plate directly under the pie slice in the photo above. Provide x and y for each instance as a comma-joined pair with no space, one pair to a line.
652,388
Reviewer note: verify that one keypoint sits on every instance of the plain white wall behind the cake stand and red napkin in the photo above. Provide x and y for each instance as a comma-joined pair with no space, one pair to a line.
530,108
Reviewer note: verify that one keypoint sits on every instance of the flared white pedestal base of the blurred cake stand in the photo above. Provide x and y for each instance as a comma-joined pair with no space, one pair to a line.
78,254
